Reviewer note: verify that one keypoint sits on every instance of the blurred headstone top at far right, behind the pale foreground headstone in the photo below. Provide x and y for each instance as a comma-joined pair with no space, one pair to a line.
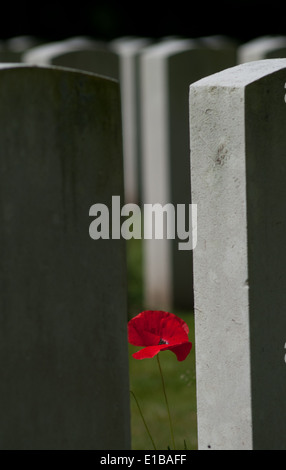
266,47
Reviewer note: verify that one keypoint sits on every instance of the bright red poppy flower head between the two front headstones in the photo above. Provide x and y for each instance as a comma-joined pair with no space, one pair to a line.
159,331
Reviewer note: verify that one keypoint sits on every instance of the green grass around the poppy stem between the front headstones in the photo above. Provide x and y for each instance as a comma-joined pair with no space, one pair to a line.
145,380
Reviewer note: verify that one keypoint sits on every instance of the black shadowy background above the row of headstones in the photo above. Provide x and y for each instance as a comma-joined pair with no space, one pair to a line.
242,19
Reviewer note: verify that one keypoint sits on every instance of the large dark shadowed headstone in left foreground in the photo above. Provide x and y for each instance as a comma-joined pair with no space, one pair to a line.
63,348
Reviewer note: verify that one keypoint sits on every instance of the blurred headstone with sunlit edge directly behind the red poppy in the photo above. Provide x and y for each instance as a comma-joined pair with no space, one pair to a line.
167,70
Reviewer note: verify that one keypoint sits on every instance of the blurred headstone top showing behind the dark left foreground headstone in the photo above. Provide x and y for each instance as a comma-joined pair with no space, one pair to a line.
77,53
